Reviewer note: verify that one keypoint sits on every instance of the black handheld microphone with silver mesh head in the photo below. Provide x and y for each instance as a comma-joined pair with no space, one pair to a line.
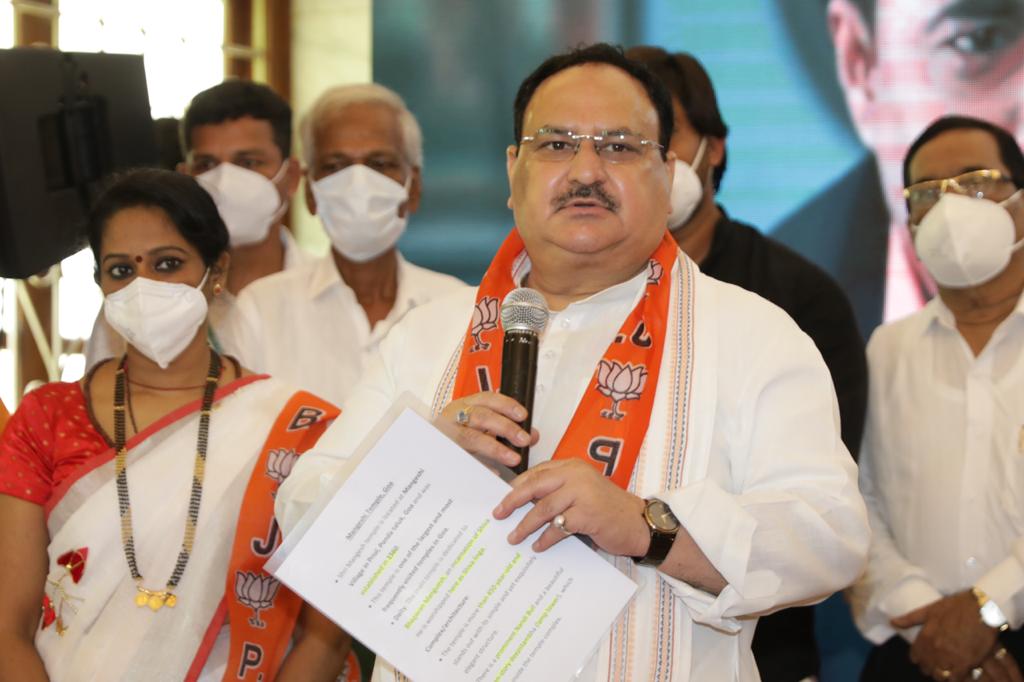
525,315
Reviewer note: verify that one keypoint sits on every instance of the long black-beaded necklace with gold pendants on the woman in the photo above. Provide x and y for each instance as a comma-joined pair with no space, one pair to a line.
157,600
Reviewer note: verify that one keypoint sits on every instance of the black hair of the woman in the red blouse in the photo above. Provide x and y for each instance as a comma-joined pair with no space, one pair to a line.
185,202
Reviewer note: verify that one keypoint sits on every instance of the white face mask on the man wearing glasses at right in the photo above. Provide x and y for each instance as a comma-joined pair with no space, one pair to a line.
966,241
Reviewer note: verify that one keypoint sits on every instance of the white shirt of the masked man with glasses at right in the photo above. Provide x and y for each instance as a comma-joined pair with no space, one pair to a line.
943,468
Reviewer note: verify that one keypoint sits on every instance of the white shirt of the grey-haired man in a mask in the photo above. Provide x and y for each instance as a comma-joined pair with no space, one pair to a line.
307,327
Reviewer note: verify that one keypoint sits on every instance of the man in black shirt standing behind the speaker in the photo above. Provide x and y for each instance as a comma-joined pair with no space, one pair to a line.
731,251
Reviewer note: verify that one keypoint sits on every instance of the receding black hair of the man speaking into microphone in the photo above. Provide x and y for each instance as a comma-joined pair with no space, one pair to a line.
598,54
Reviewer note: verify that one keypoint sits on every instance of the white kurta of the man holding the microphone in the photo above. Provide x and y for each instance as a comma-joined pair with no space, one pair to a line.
769,490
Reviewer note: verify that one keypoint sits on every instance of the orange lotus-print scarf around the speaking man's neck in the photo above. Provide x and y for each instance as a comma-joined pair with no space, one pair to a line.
612,420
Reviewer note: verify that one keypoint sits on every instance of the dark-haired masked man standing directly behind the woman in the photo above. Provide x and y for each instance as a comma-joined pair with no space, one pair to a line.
237,140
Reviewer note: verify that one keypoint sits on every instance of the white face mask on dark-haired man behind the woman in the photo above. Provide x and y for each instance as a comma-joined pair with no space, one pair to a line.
248,202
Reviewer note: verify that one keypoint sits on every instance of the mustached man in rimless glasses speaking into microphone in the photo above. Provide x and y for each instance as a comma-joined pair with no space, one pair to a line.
688,428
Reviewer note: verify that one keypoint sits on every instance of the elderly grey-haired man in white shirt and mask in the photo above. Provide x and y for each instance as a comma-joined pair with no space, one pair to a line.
316,326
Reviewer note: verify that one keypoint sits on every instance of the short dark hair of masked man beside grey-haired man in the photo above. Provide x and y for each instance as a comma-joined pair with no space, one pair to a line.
235,100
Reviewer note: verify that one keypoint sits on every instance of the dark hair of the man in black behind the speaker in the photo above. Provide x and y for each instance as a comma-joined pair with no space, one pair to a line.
690,83
